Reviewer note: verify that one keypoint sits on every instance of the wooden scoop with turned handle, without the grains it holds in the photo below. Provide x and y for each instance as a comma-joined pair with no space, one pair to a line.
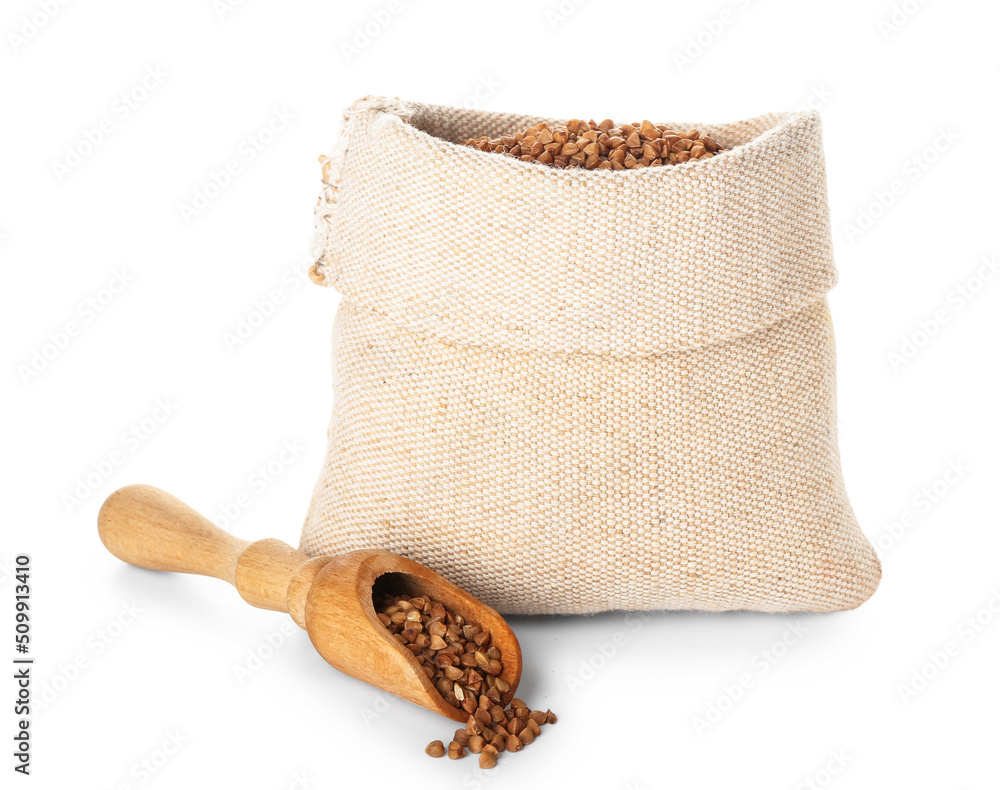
331,597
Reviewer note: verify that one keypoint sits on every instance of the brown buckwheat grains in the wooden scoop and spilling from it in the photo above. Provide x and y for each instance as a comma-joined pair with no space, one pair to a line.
465,668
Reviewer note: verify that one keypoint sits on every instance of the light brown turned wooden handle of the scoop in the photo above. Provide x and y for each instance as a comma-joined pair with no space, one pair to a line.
145,526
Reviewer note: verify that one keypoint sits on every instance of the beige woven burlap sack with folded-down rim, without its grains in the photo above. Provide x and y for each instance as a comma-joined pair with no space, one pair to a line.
573,391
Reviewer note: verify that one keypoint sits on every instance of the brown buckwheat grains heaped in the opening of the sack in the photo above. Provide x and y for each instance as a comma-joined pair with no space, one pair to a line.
602,146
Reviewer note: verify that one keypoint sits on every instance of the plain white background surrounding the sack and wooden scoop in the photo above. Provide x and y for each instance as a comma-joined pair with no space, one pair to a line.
888,96
